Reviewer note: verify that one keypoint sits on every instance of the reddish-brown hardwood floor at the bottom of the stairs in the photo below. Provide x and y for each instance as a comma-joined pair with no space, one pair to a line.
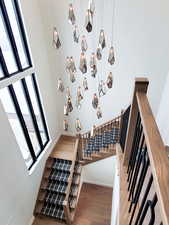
94,207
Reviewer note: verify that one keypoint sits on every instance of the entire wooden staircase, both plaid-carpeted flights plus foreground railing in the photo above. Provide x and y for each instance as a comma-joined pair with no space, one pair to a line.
142,167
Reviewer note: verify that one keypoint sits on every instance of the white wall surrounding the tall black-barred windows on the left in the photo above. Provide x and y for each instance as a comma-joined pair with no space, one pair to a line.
18,189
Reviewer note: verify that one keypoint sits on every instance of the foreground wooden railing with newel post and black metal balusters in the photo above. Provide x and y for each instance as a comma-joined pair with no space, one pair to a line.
146,163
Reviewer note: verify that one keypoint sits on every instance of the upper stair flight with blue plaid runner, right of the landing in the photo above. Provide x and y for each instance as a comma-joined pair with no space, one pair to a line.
101,143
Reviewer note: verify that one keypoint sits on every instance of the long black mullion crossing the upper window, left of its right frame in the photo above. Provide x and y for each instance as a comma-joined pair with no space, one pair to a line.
10,33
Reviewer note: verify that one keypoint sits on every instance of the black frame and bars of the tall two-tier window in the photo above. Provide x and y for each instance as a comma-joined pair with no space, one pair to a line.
23,82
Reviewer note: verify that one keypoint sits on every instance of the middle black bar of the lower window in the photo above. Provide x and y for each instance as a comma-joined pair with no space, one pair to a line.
26,92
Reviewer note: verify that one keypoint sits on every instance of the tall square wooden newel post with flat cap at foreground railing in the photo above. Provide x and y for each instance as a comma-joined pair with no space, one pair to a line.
141,85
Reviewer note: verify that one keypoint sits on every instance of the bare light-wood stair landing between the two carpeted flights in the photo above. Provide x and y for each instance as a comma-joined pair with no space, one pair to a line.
64,149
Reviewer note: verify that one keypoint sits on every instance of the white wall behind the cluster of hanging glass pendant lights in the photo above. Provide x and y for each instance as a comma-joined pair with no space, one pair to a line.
141,34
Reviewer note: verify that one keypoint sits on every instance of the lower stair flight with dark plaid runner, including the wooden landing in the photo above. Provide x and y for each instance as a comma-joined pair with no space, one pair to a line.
61,182
